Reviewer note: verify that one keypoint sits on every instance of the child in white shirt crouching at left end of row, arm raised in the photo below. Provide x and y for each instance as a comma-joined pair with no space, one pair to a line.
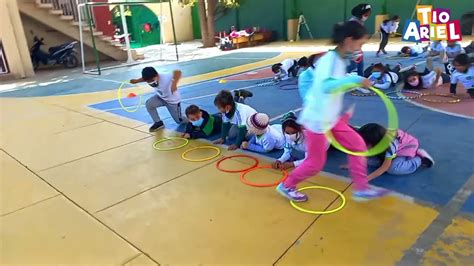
165,86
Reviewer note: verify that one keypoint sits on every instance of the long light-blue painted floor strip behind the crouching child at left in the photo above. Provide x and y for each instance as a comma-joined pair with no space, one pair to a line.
85,84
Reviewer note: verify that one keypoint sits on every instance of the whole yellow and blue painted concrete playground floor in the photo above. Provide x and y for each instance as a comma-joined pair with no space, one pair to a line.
82,184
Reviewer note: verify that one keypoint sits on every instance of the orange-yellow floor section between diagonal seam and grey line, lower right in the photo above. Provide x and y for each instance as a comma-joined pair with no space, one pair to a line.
374,233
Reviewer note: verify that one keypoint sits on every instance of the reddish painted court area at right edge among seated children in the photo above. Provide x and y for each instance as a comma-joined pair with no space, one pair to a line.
465,107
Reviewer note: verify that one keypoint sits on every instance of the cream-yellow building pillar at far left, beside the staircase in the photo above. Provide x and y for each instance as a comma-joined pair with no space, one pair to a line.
14,42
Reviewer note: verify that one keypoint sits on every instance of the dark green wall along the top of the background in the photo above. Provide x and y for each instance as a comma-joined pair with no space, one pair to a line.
321,15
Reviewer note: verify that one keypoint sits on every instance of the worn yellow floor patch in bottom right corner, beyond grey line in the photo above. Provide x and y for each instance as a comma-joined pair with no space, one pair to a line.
454,246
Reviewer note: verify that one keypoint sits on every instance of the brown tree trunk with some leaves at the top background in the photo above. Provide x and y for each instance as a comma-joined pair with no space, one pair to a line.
207,16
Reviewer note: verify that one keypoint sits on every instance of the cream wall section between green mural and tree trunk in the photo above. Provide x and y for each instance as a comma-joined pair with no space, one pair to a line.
182,21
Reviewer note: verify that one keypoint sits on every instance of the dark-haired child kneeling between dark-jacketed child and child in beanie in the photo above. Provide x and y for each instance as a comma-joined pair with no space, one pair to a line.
233,114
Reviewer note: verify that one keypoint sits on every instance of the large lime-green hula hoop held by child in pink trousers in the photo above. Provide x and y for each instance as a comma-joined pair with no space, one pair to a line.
389,136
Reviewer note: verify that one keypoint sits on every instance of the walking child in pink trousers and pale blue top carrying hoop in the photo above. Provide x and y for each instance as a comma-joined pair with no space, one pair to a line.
321,113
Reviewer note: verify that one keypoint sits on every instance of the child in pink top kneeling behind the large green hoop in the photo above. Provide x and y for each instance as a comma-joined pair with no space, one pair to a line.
402,157
